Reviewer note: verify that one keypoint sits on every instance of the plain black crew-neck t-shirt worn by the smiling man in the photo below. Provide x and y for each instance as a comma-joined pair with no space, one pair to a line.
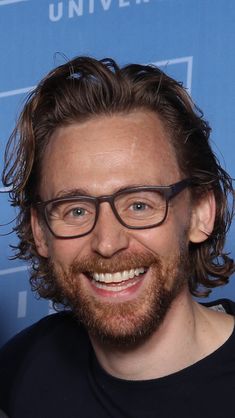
50,371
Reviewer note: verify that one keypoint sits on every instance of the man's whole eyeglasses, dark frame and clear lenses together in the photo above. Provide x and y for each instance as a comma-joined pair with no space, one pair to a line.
135,208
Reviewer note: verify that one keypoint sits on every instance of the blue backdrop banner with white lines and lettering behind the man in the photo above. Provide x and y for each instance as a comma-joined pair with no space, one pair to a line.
191,40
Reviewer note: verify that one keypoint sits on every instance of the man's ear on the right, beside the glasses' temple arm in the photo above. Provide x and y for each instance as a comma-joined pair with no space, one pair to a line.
203,218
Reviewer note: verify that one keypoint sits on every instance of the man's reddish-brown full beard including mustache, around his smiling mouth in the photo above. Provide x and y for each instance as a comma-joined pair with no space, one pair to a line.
123,324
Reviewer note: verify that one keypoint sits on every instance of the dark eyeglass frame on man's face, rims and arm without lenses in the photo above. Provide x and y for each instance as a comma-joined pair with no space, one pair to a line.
169,192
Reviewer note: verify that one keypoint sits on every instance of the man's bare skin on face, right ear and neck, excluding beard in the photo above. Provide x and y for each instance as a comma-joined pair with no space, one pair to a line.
100,156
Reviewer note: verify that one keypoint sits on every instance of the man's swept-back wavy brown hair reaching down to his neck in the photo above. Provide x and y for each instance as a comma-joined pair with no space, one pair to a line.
83,88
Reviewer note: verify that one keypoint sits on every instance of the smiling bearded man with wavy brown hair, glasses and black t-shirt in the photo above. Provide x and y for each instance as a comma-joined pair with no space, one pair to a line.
123,213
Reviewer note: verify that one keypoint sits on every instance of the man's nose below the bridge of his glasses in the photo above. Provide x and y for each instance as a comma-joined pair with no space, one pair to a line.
109,236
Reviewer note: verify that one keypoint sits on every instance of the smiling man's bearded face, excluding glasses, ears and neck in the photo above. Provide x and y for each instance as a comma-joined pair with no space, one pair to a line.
99,157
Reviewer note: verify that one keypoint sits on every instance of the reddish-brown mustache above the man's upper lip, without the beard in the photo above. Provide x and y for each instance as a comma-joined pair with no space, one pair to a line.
117,263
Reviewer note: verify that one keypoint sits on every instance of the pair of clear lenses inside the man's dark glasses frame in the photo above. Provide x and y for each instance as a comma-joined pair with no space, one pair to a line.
76,216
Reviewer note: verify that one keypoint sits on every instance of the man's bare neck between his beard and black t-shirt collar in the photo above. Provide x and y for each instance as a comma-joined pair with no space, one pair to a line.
188,333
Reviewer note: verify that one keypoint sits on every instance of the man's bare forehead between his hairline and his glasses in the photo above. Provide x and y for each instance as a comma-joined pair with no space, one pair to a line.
109,152
